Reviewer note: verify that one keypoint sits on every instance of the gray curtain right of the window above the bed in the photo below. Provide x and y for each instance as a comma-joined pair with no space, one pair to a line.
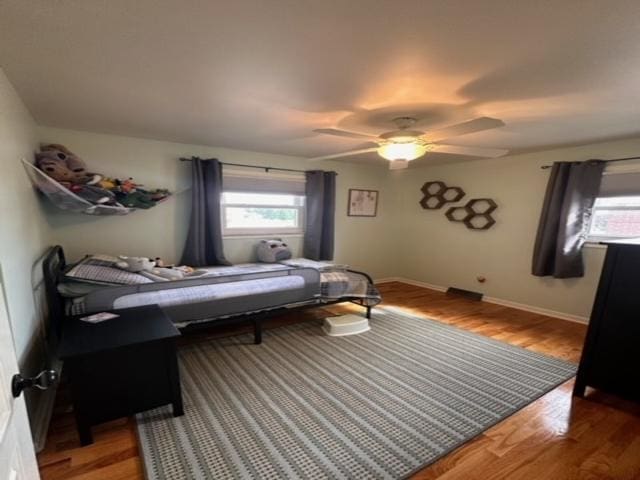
321,210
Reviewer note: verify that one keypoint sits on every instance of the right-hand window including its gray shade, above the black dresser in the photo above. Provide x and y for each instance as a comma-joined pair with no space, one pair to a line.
616,212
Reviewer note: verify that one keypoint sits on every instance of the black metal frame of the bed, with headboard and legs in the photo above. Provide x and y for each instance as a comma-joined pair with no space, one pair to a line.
54,264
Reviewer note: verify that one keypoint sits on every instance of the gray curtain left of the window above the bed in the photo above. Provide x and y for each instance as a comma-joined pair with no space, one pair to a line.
204,241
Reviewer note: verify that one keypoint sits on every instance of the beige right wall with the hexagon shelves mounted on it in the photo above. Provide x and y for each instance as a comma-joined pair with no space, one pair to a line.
446,254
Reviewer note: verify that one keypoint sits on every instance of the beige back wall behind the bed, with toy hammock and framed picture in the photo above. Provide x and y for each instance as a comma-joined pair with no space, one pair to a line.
161,231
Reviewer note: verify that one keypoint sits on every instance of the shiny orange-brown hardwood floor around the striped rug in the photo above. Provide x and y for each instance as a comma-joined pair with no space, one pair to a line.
556,437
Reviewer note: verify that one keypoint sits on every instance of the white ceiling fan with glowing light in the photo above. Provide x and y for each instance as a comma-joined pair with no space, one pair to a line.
402,145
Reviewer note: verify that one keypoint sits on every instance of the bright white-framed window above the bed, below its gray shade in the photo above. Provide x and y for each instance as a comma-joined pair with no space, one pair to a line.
261,213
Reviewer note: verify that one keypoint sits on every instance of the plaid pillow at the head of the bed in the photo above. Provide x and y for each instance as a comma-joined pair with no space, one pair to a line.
102,270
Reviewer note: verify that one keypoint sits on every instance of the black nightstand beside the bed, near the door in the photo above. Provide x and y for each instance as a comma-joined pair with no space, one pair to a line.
120,366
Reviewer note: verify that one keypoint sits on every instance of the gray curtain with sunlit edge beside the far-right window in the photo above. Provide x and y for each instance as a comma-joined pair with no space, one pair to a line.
571,192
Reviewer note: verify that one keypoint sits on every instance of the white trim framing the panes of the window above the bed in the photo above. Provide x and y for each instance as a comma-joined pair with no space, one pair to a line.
262,231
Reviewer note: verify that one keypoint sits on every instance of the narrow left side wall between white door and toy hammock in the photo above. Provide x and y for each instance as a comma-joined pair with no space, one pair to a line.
24,233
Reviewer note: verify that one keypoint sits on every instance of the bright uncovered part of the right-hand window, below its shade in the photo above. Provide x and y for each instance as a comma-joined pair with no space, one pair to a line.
615,218
